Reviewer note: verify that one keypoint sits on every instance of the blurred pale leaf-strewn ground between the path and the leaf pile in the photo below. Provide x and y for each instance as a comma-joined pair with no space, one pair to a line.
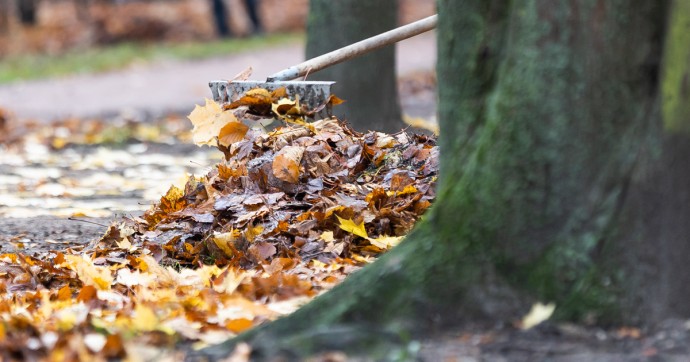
92,168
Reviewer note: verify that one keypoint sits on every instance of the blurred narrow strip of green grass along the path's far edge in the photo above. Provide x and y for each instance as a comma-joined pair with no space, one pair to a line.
120,56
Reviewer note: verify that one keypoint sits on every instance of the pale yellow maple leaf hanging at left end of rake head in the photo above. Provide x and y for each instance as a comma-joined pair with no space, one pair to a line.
208,120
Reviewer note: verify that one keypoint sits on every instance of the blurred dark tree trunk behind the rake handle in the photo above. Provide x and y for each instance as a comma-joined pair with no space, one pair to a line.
367,83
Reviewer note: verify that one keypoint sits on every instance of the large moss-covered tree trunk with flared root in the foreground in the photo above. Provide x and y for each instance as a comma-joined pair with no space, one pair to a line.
560,182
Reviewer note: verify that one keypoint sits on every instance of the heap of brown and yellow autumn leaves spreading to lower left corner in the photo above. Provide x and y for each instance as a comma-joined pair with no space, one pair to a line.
287,214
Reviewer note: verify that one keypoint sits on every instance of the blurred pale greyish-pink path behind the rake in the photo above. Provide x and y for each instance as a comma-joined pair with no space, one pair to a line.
171,87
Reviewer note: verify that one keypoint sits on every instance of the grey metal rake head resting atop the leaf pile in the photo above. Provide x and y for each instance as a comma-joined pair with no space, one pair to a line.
311,93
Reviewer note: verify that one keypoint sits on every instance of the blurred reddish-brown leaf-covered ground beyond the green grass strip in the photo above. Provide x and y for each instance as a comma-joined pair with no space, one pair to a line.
56,26
